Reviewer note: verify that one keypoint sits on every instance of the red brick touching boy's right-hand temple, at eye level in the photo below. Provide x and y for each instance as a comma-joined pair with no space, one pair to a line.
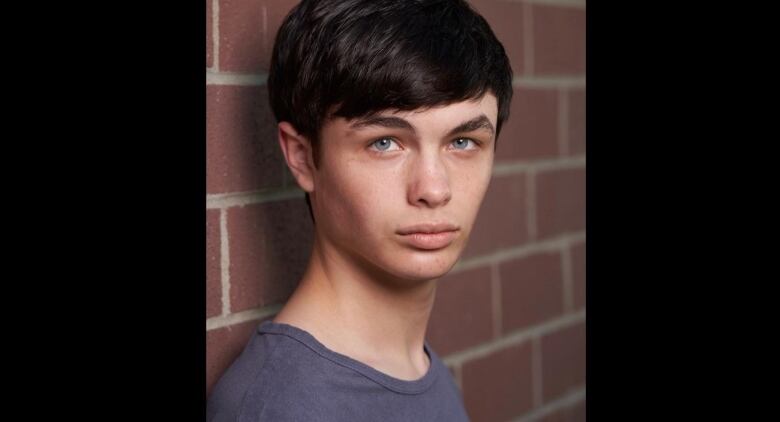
531,131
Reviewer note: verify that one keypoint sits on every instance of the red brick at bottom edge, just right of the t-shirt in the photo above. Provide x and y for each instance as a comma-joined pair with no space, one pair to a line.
498,387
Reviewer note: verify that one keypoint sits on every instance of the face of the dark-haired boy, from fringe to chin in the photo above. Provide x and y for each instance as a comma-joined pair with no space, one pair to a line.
381,180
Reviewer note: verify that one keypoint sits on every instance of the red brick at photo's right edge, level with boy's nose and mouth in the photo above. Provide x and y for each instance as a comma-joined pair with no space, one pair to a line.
560,202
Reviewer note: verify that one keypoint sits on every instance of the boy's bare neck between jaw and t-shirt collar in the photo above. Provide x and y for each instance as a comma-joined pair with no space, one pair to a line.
371,317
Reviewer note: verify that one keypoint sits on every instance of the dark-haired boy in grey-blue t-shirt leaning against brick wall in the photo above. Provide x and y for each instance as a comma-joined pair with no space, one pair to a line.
388,113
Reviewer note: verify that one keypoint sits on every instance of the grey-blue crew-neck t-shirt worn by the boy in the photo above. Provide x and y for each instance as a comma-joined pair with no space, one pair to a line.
285,374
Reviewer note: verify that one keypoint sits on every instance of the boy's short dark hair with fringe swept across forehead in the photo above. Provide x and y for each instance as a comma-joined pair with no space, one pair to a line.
355,58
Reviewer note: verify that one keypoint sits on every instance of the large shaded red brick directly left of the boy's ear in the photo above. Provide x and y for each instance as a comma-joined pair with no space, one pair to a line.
242,152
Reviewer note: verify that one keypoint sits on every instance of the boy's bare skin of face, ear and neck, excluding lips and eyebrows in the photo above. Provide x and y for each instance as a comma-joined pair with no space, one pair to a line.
367,291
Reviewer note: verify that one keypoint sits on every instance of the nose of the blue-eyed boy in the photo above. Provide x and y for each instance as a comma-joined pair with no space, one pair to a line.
429,184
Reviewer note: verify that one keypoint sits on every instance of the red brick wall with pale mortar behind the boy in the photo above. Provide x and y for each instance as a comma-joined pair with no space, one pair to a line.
509,320
